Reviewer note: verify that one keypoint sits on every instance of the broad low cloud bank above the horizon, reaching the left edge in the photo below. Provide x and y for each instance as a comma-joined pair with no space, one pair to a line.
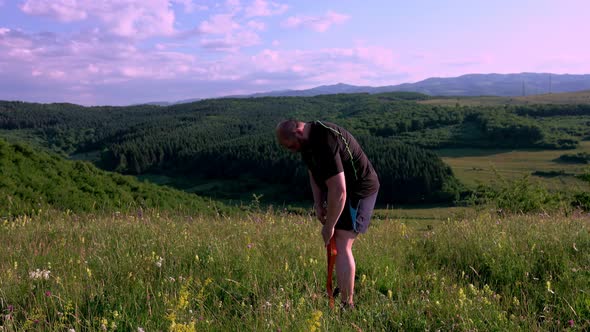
90,68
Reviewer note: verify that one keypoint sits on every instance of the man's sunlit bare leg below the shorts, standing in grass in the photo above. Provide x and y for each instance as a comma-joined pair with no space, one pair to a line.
345,265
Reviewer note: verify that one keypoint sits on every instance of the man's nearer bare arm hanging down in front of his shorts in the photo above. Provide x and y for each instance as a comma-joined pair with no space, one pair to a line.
336,201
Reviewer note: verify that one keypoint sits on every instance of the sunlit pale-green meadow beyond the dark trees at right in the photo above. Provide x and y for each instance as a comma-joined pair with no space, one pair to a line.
481,166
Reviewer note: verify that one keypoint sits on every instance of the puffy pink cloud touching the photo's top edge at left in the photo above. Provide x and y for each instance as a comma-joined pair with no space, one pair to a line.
126,18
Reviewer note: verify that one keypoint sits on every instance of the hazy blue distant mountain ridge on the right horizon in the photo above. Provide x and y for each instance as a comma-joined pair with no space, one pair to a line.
466,85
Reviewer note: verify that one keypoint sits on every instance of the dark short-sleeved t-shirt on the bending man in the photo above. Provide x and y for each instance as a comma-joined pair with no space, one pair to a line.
331,150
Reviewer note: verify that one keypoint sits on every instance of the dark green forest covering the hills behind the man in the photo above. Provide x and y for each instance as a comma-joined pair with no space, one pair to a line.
233,139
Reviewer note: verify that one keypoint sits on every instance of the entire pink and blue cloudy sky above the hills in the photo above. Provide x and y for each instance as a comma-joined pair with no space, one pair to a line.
131,51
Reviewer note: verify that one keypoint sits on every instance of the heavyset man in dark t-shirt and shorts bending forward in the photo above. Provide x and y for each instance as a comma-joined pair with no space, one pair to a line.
341,175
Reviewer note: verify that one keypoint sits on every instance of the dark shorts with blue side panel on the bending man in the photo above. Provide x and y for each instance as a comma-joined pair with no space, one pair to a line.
356,215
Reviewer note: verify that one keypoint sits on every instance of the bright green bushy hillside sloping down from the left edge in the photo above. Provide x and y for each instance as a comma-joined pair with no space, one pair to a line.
33,180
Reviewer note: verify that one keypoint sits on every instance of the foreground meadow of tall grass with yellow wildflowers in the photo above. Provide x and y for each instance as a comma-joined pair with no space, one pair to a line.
266,271
